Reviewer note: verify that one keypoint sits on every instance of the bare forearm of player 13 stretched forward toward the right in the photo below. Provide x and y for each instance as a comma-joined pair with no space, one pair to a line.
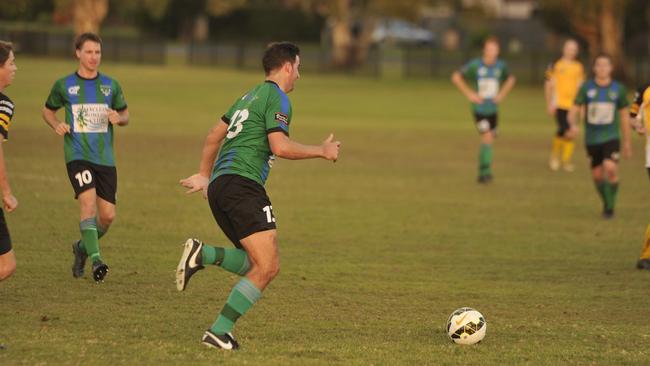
283,147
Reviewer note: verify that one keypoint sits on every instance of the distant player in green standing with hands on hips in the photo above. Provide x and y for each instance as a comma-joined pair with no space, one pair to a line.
485,82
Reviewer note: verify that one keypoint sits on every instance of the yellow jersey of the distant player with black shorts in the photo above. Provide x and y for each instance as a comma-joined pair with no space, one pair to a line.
567,76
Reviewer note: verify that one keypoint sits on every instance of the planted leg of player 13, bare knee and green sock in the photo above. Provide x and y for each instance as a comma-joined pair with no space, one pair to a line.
262,249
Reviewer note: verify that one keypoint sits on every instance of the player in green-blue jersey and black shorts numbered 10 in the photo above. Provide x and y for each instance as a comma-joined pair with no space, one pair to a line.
93,103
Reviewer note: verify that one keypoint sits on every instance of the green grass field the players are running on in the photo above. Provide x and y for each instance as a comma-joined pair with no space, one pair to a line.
377,250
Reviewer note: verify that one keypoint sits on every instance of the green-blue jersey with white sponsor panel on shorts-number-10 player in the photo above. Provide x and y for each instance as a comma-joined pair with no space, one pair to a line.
86,103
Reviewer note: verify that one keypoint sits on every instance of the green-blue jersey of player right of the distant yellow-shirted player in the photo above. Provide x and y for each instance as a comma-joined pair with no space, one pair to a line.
602,120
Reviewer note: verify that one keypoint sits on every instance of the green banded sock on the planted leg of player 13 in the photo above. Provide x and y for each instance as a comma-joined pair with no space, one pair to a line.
242,298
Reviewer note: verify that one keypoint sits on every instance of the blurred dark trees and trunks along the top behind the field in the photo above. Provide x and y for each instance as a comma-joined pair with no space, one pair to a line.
603,25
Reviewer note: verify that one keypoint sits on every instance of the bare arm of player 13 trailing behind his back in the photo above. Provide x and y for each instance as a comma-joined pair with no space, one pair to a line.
199,181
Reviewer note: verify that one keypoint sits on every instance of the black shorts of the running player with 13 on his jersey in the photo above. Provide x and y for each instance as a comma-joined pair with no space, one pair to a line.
240,206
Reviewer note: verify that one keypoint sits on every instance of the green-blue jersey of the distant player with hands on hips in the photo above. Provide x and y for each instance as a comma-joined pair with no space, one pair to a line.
486,80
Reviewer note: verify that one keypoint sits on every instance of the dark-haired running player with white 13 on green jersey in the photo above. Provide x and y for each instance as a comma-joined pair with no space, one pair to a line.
251,134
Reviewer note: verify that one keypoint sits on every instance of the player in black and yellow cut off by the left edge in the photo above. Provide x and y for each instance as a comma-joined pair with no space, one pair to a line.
7,71
